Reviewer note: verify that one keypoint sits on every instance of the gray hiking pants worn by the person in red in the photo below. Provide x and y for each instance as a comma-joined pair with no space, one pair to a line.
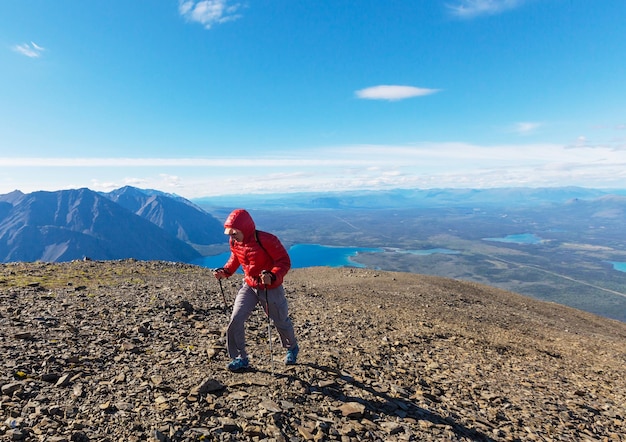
245,302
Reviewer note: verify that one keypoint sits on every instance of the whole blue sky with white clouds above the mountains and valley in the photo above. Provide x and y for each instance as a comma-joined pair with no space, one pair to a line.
217,97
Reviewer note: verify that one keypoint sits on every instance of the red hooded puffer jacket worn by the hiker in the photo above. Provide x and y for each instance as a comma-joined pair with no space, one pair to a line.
257,252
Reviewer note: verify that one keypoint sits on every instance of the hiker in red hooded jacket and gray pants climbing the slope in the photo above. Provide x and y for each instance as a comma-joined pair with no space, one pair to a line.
264,262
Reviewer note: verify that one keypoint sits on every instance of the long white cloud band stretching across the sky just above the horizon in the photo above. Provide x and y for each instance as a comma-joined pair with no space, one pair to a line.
353,167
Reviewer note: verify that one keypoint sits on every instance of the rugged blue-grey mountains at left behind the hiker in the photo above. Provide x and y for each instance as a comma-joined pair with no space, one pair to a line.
126,223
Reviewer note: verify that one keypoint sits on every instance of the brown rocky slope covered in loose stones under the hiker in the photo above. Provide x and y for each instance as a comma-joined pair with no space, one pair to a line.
134,351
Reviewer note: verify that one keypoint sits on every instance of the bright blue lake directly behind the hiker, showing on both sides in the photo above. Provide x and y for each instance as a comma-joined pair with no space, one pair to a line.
313,255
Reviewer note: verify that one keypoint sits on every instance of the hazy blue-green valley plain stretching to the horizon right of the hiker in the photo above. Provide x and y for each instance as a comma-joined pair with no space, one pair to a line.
572,248
